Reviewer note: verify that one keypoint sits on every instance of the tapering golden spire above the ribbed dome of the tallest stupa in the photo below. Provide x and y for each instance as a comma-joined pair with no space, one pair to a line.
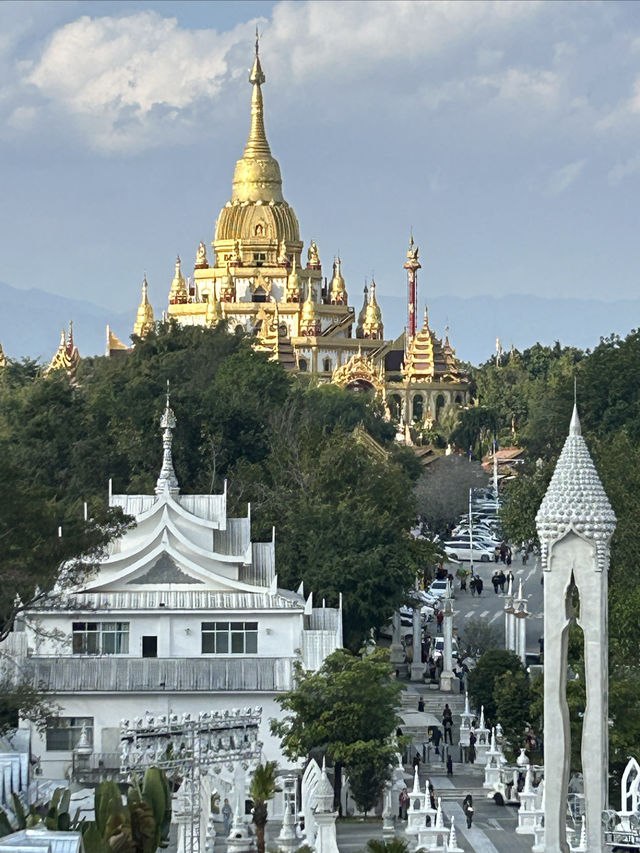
257,176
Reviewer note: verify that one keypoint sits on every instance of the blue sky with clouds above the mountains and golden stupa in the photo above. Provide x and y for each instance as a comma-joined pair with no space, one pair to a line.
507,135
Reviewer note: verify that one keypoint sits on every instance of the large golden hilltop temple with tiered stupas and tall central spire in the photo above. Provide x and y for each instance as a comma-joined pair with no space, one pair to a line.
256,276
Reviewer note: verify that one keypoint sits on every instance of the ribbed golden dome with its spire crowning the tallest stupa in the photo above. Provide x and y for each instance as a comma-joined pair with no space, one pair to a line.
257,213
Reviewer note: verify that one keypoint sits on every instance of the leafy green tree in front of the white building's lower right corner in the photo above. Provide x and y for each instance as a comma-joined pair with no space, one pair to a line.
347,710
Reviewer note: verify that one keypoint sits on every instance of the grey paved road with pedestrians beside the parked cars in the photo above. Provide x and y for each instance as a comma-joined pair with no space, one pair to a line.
491,606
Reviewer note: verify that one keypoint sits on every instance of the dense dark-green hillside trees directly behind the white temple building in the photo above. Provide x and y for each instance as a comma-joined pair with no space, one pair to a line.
341,511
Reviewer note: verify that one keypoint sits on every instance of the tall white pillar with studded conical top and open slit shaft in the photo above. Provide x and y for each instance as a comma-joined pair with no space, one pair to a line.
575,524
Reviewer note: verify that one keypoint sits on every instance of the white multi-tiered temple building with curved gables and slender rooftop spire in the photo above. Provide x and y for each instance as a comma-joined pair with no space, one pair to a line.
184,615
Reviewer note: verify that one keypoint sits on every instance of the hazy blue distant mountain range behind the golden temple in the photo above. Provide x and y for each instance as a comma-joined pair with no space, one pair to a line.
31,321
